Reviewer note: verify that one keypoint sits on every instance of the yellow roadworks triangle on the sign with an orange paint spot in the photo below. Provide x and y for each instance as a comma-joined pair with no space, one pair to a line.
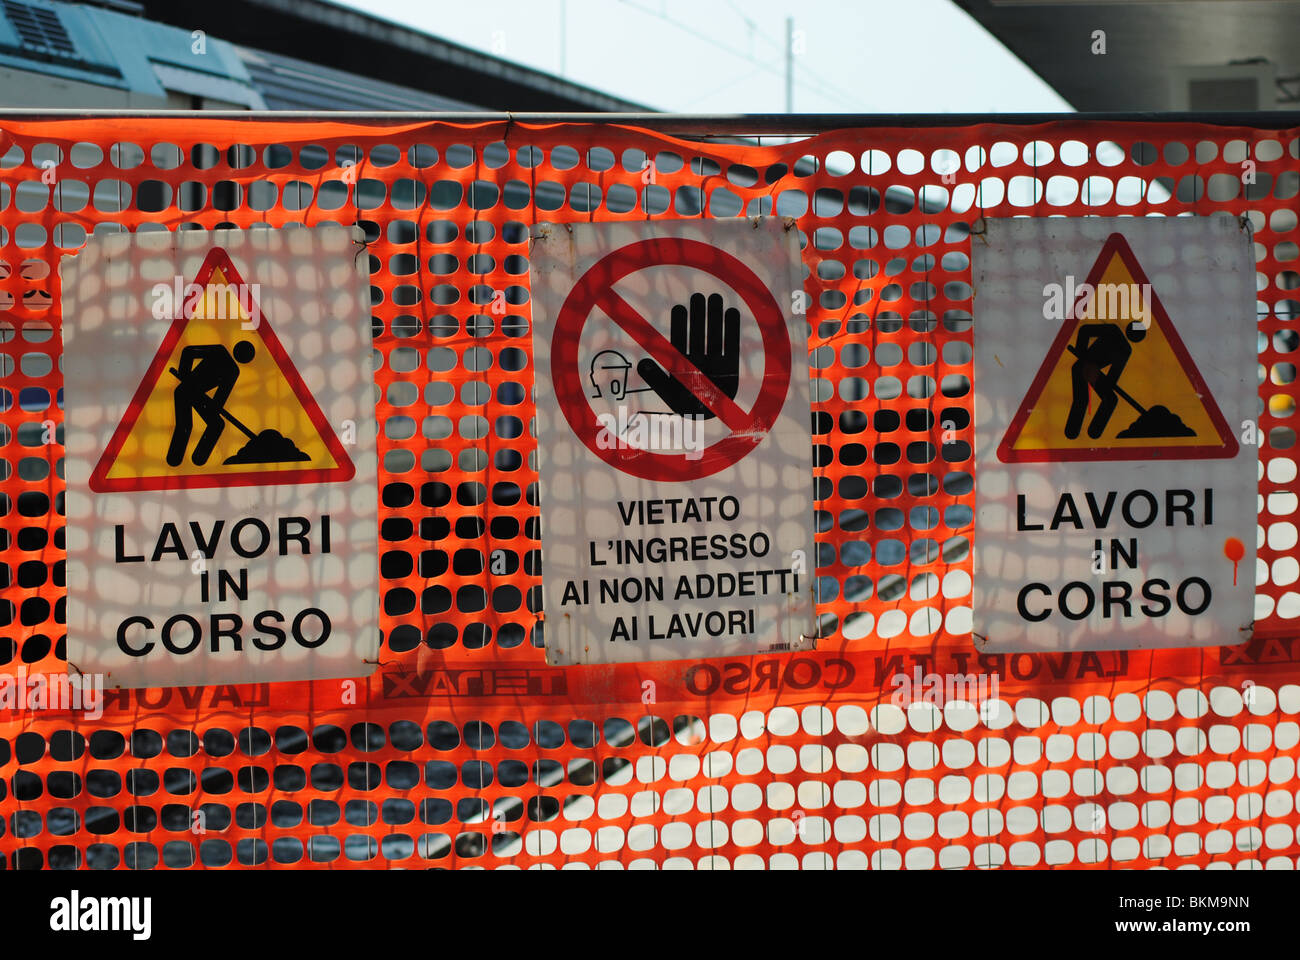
1117,383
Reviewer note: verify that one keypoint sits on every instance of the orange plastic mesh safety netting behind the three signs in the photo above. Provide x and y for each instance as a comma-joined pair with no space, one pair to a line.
465,749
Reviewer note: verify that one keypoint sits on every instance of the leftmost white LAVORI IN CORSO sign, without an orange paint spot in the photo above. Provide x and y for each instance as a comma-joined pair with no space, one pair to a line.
220,457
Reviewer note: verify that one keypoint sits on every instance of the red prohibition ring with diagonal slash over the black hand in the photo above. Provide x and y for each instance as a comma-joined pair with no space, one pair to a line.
596,289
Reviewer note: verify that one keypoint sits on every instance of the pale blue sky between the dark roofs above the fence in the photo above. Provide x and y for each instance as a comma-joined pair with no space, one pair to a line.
729,57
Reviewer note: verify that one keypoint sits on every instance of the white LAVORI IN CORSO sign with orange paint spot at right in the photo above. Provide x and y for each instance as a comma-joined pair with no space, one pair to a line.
1116,403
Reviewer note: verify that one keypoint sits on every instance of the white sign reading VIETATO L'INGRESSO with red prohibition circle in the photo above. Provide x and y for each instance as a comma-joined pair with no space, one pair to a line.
674,440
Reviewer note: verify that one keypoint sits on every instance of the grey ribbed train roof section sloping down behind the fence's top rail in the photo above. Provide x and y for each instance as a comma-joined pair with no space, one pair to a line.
288,84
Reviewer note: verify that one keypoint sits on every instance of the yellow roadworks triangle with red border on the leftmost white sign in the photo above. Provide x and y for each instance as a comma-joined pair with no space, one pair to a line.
222,405
